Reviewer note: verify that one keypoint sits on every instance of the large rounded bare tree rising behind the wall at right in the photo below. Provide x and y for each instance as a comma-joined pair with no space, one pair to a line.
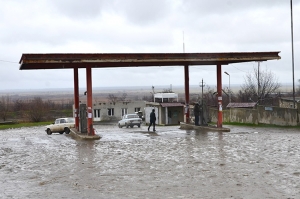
261,88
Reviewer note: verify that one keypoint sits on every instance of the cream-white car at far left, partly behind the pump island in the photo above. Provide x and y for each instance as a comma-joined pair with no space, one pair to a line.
61,125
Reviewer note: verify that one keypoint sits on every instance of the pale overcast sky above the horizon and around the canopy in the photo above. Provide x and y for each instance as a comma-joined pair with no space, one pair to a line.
144,26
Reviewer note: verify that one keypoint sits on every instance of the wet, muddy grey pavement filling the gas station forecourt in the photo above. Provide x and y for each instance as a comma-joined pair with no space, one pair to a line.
246,162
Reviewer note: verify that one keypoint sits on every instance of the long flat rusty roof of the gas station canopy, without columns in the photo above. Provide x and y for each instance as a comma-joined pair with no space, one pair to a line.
70,60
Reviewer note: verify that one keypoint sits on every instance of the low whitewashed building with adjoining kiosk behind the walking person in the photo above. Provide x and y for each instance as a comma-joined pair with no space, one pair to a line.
168,110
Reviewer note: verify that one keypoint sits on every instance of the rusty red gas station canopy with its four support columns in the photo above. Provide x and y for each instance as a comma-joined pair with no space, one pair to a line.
89,61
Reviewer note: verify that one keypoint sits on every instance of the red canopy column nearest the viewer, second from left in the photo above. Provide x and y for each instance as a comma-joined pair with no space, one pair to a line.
89,95
